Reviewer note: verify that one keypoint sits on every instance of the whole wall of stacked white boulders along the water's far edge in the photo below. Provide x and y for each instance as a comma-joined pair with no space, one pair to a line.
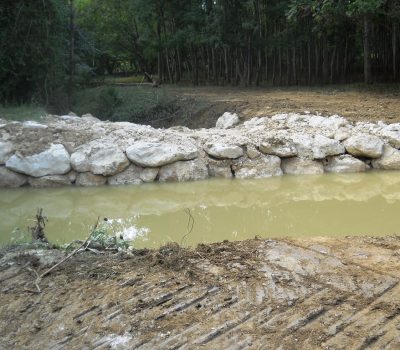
125,153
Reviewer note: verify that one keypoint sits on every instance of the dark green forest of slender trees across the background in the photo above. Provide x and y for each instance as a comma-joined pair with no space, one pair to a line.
54,47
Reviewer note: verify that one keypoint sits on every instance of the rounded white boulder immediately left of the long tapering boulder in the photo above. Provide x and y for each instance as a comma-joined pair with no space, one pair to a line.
108,161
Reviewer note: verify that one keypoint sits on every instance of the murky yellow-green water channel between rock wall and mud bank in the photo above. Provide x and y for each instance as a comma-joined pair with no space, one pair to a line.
153,214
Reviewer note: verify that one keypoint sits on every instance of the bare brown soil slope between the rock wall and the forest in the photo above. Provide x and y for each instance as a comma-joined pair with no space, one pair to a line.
200,107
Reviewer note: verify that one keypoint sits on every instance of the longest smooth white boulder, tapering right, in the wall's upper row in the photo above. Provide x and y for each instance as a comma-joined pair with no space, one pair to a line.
155,154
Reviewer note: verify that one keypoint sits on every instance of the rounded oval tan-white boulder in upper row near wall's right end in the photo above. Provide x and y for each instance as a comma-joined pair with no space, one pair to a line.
364,145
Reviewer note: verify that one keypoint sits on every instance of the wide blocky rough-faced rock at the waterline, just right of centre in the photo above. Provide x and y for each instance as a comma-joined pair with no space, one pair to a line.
261,167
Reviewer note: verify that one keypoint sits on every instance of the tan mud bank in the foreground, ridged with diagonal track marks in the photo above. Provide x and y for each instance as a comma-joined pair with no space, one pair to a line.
257,294
